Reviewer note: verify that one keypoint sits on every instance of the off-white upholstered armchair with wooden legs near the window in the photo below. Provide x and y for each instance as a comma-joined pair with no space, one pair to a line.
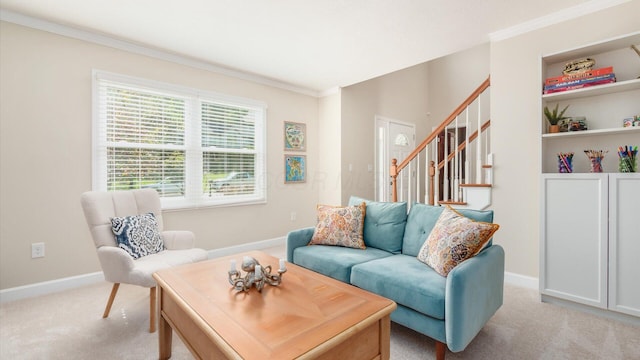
117,265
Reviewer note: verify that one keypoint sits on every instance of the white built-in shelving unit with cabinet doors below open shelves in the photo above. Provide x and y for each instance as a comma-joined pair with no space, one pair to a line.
590,229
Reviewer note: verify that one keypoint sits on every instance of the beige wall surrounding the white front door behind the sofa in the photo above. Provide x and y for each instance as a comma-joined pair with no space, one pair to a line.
401,95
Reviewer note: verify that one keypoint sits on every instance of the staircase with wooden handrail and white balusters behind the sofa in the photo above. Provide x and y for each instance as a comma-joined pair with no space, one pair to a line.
453,165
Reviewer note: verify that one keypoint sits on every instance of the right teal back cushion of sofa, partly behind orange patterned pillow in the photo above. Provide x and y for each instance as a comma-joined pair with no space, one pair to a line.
423,217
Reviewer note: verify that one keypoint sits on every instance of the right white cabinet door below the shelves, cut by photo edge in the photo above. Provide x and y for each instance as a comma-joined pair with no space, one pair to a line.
624,243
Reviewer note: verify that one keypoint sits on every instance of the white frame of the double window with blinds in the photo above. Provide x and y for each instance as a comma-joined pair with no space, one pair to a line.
195,195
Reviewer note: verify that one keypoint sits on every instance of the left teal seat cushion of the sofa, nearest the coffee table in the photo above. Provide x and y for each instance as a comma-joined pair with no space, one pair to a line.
335,261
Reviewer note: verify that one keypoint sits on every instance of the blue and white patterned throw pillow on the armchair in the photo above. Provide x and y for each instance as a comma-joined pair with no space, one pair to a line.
138,235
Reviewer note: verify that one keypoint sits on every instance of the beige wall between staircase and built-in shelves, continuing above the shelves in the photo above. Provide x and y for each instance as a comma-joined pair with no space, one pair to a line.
515,119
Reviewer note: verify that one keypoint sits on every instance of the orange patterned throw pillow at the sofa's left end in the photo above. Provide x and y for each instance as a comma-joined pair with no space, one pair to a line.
340,226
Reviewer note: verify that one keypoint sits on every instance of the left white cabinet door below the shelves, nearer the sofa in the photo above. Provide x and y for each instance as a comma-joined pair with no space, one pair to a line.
574,238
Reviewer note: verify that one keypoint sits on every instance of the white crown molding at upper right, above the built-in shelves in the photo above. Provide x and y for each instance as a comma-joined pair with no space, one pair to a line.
554,18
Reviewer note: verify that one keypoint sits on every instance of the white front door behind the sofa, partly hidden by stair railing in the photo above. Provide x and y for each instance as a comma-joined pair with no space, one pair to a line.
394,139
